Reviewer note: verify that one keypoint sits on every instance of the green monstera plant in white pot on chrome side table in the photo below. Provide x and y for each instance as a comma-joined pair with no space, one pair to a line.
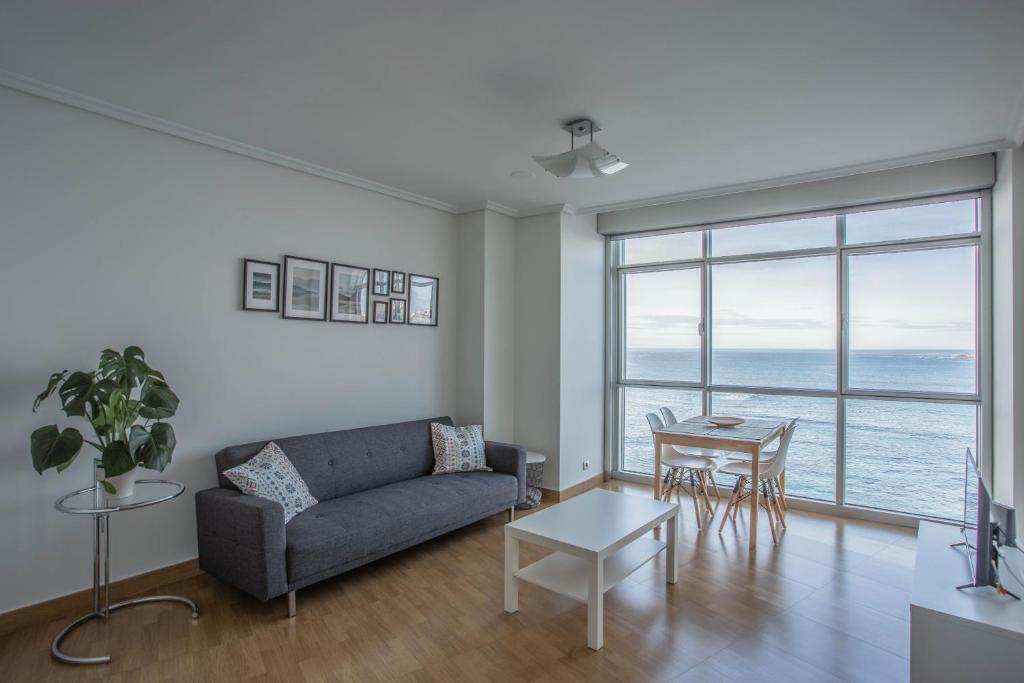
125,402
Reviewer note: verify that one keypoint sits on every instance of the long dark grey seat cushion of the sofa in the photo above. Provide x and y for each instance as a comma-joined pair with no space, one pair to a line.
343,531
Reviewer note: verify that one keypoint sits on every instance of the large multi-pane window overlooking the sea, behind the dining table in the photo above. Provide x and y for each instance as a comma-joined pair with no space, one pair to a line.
865,324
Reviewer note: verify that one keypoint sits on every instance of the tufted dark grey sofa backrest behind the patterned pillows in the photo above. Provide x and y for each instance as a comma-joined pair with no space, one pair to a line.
335,464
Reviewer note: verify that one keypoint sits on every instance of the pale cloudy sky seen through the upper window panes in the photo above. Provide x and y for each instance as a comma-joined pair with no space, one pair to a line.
907,301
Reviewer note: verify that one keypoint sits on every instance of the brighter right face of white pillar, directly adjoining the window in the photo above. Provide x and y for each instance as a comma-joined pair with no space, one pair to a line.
582,368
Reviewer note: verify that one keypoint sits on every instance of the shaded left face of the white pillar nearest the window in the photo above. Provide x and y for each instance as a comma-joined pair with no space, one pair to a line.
537,338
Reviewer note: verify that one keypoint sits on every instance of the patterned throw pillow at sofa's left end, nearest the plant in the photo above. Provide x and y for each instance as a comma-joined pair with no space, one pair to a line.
271,475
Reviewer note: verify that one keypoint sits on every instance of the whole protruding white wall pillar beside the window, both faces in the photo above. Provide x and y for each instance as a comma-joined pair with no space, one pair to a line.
560,360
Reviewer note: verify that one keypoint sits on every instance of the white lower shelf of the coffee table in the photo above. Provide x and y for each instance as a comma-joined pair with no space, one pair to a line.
570,575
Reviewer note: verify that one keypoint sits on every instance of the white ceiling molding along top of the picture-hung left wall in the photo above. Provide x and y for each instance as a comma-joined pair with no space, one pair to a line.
72,99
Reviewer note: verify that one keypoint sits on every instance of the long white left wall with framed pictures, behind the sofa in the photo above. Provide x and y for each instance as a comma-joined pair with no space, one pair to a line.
112,235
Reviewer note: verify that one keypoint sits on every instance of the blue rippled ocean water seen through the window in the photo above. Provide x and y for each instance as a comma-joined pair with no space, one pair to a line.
903,456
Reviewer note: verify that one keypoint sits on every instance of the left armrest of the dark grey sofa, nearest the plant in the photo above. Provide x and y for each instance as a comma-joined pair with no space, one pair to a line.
242,541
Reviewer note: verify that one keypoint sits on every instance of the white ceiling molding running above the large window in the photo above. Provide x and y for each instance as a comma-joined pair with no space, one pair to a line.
900,162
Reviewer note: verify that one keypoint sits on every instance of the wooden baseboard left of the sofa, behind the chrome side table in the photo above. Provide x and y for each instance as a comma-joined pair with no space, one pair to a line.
81,603
